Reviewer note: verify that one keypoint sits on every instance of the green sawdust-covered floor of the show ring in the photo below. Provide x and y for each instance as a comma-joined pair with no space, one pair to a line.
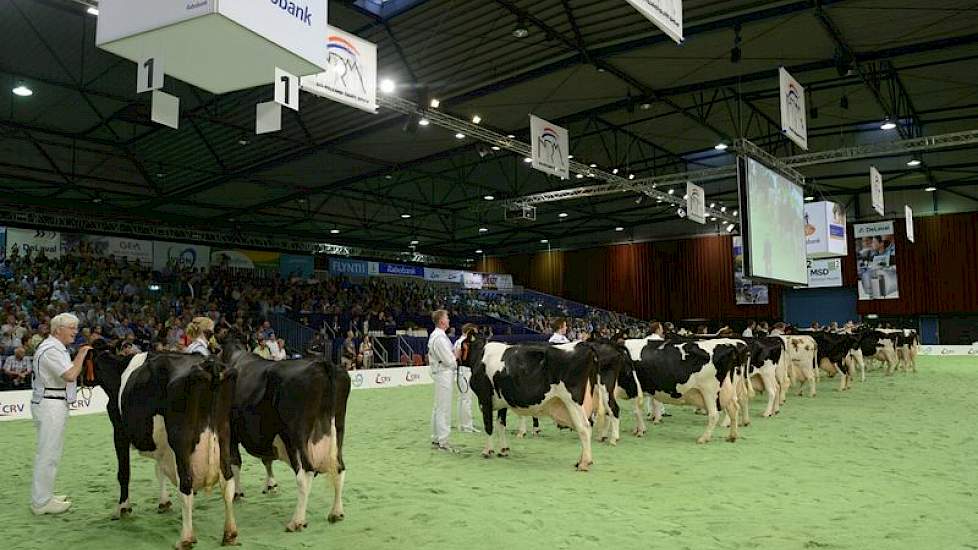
890,464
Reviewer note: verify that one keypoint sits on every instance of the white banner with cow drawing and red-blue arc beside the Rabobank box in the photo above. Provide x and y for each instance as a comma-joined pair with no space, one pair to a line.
351,71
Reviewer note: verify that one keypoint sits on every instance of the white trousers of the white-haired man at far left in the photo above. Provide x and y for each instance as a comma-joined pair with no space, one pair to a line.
50,417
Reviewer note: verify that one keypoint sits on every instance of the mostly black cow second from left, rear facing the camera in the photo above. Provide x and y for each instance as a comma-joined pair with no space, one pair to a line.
293,411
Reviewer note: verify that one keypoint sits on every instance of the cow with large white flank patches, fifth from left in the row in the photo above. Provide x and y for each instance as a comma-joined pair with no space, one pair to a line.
703,374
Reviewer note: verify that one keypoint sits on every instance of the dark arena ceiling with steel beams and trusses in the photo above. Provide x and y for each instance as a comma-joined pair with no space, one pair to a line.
630,97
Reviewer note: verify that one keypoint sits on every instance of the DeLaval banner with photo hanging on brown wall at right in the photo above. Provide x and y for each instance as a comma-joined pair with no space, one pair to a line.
876,261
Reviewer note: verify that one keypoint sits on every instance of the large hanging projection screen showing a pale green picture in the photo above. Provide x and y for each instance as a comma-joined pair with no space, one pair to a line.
773,224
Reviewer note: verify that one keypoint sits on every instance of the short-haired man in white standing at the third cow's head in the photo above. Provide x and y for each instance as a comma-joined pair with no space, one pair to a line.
441,358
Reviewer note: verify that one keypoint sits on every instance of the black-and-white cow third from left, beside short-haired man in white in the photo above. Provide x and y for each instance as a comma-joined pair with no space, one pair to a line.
534,380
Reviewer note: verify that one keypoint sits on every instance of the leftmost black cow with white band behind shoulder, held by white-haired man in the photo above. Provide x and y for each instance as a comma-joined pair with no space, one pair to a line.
175,409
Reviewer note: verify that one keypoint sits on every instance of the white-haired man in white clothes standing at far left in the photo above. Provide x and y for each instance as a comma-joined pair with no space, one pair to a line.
54,390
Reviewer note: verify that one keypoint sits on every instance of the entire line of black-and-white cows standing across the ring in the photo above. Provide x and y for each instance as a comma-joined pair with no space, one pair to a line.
192,413
